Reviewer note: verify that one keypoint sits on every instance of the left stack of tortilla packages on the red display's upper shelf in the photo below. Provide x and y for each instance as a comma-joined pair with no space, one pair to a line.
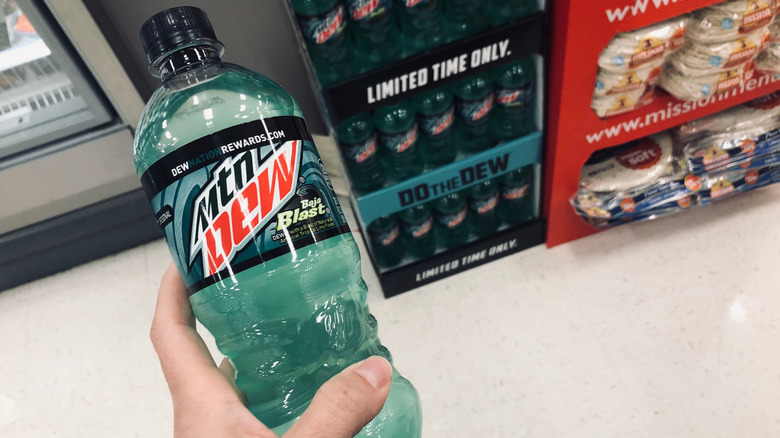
630,65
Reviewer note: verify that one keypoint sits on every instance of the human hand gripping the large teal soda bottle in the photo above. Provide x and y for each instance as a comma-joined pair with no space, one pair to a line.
206,402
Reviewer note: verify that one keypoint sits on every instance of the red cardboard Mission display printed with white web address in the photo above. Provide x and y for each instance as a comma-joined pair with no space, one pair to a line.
581,29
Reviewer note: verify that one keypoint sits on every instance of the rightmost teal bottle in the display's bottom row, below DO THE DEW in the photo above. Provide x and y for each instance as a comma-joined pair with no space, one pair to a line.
516,203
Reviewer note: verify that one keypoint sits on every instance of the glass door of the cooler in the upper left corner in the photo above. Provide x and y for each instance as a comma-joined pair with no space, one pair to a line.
44,94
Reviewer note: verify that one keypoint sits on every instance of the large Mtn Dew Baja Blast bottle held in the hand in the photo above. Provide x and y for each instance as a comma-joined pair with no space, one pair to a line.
254,227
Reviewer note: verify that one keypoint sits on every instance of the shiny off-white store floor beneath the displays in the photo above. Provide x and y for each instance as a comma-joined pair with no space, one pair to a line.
660,329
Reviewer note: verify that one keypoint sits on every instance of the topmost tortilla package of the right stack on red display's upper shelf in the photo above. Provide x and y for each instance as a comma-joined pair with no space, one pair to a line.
730,19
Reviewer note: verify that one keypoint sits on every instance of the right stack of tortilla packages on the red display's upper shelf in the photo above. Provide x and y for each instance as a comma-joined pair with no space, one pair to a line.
721,43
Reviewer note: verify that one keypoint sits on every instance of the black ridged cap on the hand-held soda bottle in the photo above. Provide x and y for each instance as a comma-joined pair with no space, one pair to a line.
176,27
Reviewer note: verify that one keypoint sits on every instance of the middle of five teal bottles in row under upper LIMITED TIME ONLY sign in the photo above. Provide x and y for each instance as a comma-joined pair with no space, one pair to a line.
436,119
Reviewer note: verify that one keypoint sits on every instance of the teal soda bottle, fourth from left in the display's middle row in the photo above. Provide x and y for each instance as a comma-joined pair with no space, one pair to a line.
473,105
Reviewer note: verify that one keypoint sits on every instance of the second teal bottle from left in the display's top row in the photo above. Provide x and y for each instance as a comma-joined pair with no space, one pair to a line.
376,32
